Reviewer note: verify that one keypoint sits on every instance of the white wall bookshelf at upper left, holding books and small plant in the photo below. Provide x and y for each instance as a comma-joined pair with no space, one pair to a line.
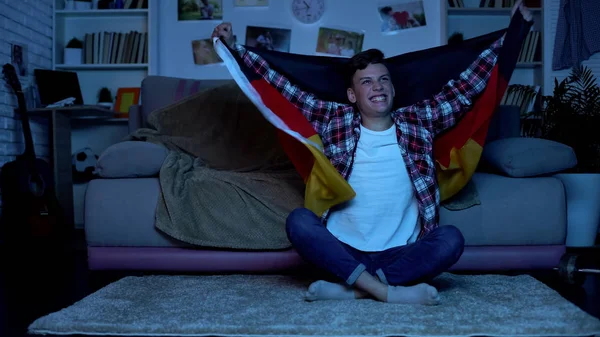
101,70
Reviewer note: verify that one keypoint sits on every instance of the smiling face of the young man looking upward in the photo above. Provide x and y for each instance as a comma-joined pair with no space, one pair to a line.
372,90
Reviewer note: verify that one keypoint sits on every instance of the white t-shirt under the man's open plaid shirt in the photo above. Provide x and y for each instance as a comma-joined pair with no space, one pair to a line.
384,213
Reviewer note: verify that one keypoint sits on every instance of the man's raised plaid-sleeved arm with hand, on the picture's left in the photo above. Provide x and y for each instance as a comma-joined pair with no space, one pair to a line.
315,110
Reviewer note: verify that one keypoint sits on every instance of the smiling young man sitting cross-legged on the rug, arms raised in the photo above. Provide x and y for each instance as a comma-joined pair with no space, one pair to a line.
386,242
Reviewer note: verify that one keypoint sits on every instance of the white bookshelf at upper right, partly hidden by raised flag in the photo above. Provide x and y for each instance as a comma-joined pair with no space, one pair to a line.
474,18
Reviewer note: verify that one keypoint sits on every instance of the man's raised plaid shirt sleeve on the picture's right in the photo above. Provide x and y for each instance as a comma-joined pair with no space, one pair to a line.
445,108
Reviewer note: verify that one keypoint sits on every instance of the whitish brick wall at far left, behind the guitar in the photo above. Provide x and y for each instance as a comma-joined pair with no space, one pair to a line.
27,23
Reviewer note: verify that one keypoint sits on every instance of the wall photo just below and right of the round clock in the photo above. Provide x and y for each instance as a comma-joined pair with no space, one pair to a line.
339,42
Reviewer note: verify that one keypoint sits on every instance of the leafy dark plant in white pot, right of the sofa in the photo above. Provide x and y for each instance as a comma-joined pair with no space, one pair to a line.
571,116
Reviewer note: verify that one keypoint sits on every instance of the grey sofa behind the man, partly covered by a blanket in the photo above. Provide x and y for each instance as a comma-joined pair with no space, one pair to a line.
520,223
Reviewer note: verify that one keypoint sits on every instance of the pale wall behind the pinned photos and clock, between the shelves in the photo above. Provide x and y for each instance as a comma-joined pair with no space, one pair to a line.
175,37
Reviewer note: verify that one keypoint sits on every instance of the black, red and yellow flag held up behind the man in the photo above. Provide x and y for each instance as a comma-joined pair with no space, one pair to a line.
416,76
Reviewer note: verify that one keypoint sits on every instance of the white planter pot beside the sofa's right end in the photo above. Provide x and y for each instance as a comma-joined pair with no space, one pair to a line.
583,207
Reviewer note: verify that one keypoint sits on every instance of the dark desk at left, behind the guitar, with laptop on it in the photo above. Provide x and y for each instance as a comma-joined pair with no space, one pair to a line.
60,145
